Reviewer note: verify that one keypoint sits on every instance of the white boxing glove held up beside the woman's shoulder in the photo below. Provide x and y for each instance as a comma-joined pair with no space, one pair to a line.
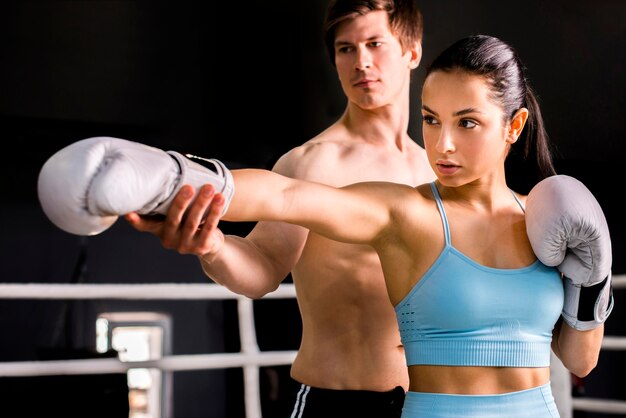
567,228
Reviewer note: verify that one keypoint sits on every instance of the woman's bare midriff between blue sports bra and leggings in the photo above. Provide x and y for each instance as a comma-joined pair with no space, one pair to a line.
466,380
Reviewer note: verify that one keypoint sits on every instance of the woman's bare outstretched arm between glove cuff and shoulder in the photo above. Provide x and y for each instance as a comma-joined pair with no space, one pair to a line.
357,213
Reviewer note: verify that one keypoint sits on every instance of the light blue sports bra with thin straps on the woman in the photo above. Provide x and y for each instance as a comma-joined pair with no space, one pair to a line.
462,313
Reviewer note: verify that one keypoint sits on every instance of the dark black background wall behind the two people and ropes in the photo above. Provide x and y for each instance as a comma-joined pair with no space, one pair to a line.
152,71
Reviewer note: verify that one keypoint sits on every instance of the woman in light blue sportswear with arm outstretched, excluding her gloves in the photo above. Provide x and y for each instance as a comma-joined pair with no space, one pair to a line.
478,313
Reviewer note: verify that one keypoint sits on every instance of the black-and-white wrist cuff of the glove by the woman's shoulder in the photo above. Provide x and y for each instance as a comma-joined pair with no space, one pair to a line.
587,307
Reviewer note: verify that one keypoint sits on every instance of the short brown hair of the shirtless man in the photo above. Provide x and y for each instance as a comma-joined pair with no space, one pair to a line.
405,19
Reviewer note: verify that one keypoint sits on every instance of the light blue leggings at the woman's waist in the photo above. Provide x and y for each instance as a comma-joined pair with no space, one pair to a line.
531,403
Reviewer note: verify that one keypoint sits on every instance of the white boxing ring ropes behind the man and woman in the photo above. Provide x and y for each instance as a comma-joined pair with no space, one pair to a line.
250,358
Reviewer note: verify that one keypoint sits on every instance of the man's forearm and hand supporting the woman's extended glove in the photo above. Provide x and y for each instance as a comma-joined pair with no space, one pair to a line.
252,266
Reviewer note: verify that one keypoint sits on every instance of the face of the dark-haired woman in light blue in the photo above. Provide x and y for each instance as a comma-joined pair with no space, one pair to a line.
465,134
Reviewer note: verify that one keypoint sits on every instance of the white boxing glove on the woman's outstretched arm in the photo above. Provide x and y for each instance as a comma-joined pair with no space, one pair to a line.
84,187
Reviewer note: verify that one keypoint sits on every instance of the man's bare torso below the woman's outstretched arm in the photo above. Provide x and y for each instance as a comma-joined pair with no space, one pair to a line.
349,331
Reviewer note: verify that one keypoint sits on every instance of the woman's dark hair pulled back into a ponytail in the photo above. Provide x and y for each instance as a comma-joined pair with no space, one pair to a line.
499,63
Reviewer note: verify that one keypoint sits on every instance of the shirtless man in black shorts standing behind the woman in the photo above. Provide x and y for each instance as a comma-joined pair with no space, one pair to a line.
350,352
